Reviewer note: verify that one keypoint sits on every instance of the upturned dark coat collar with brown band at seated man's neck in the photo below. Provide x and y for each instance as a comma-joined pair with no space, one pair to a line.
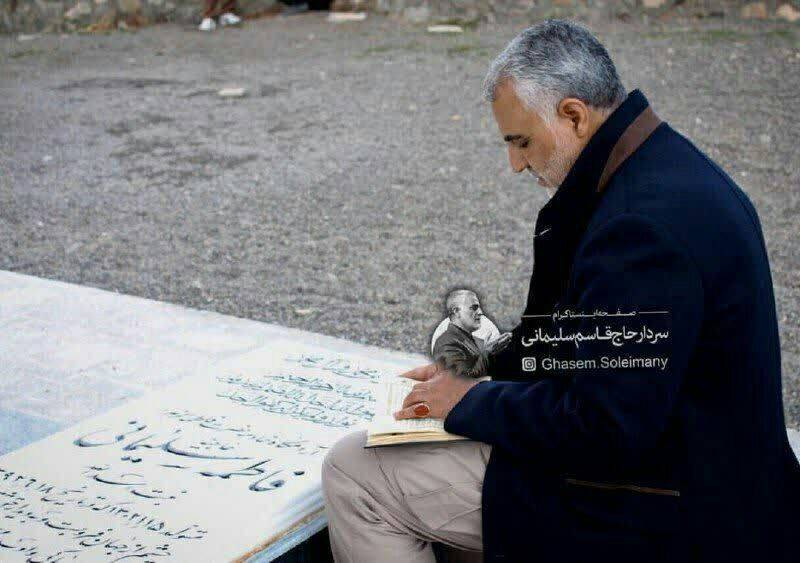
619,135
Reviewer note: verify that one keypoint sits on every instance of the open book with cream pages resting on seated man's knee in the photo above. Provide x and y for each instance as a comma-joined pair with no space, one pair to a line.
384,430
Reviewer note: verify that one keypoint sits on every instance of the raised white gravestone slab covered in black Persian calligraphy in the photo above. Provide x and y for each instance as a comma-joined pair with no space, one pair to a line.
212,468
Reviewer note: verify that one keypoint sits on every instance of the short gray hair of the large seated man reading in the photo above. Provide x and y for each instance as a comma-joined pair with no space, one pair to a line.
553,60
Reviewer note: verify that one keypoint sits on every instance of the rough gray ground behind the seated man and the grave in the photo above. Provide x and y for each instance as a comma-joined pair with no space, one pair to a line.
361,176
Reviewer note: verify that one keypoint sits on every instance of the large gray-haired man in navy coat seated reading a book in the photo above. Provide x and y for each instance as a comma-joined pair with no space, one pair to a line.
608,458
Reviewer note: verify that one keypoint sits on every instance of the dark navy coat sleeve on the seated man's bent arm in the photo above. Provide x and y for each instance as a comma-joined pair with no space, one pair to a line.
629,263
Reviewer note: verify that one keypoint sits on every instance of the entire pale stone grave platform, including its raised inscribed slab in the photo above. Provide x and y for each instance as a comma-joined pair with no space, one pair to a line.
222,465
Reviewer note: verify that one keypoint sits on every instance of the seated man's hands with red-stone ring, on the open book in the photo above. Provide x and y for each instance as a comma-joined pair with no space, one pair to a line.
437,392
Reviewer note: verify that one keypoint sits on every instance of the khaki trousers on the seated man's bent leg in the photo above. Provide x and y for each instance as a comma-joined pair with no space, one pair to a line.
387,504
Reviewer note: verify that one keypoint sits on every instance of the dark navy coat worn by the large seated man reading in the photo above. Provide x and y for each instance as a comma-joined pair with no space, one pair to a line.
689,463
